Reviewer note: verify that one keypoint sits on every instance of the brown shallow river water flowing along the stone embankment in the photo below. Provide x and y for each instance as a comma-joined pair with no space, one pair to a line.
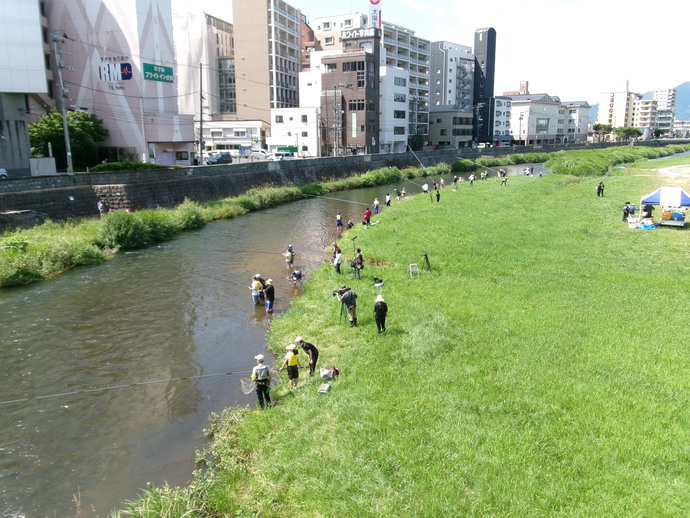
178,310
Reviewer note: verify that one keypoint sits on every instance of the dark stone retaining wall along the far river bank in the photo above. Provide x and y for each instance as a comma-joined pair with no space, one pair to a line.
68,196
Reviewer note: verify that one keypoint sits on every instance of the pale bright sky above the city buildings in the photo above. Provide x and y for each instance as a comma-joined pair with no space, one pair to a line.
573,49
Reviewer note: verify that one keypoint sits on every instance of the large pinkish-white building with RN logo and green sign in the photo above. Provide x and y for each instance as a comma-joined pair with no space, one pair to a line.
119,64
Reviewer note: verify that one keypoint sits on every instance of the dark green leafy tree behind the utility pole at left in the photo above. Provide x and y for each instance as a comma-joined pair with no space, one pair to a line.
86,131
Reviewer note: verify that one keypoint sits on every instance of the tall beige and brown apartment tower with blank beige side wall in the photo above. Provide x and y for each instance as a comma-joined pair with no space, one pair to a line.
267,35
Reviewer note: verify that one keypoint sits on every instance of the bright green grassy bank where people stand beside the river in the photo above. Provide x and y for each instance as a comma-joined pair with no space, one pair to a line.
539,369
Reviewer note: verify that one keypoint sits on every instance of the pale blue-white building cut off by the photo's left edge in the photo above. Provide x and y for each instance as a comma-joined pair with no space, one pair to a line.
25,77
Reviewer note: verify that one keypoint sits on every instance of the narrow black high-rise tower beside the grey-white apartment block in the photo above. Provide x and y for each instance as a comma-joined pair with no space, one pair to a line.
484,73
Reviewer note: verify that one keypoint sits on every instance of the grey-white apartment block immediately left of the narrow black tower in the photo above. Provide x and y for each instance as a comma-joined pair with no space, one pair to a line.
452,83
